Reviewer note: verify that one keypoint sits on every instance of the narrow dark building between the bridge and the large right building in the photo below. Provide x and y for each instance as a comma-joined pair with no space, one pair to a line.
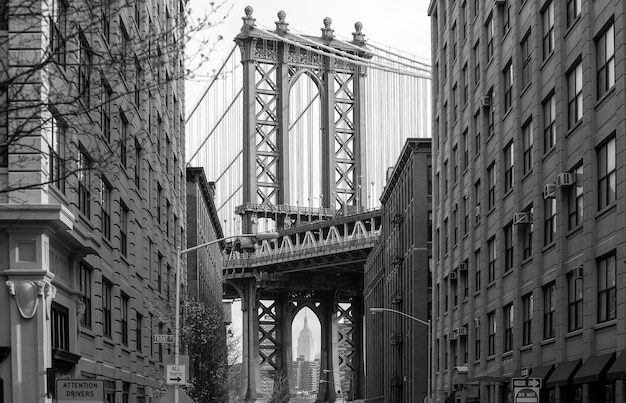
397,277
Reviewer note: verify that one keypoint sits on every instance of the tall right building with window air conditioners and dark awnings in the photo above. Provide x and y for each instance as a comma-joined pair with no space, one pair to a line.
529,201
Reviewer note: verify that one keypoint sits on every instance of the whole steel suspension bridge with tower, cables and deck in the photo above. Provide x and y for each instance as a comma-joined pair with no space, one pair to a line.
297,132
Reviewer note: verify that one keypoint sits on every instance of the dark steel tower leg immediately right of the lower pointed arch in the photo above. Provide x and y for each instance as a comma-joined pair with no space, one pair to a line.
329,362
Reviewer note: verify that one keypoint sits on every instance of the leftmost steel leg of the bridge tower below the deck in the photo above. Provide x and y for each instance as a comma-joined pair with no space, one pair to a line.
252,376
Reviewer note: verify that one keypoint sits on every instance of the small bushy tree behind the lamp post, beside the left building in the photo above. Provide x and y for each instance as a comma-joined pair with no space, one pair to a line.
204,336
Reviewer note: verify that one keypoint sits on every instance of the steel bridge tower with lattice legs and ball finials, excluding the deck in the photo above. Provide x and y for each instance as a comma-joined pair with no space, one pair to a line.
293,176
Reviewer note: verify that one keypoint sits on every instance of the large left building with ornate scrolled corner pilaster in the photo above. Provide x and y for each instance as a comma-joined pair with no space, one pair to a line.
92,194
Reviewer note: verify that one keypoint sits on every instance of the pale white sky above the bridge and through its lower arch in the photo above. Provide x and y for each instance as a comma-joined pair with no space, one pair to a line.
400,24
